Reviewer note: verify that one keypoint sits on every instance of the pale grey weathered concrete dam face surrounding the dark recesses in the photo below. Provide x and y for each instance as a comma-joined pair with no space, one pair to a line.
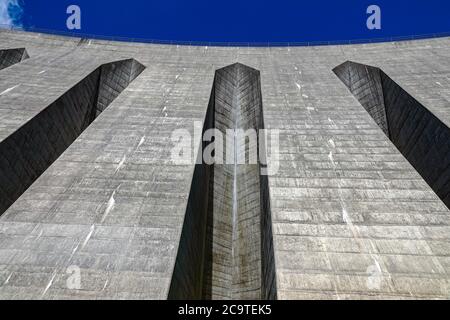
351,218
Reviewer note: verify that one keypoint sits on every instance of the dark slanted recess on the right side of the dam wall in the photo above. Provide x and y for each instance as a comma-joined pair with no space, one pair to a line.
419,135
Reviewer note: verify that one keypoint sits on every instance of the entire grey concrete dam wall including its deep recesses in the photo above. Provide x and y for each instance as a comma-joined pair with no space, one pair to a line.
93,206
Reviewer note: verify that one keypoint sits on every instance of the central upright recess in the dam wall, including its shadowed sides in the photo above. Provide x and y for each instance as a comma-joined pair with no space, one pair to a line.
226,249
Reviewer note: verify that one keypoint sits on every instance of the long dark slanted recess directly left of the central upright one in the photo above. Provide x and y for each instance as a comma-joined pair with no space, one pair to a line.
29,151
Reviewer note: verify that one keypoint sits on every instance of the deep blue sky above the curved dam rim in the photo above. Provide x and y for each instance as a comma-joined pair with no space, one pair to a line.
233,20
